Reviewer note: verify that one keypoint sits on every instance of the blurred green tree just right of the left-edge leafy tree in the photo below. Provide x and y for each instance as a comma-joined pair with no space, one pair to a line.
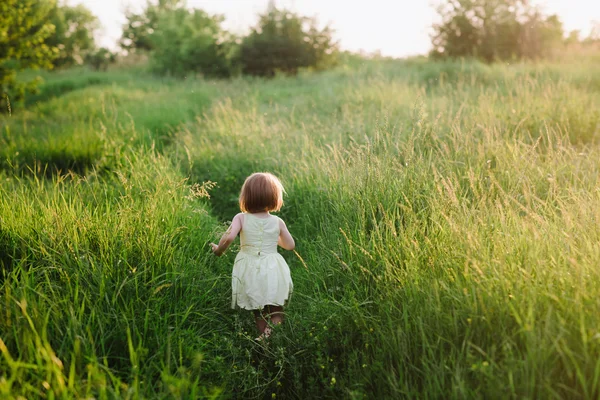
74,29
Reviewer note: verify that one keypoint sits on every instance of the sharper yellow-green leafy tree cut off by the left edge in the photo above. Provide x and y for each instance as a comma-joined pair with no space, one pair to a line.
24,28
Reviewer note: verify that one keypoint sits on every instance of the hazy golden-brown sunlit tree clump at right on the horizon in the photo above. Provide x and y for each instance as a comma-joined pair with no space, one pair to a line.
495,30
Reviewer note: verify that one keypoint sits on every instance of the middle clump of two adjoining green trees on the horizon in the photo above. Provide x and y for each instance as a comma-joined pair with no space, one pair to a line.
184,41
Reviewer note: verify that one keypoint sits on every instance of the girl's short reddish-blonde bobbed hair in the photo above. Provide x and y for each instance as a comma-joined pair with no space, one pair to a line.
261,191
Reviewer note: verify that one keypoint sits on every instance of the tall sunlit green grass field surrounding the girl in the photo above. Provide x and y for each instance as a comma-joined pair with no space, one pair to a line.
446,215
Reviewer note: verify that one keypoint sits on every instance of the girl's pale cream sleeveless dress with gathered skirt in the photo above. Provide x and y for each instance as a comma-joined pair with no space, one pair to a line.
260,275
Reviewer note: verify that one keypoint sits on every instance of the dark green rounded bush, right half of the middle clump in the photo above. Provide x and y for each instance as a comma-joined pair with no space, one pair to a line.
284,41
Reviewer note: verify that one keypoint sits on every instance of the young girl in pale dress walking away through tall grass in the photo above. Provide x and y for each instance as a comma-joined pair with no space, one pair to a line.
261,278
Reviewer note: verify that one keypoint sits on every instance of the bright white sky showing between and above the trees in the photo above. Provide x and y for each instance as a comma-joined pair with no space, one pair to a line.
397,28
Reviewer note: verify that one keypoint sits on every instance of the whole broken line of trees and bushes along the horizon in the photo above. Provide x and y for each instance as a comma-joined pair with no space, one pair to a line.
183,41
